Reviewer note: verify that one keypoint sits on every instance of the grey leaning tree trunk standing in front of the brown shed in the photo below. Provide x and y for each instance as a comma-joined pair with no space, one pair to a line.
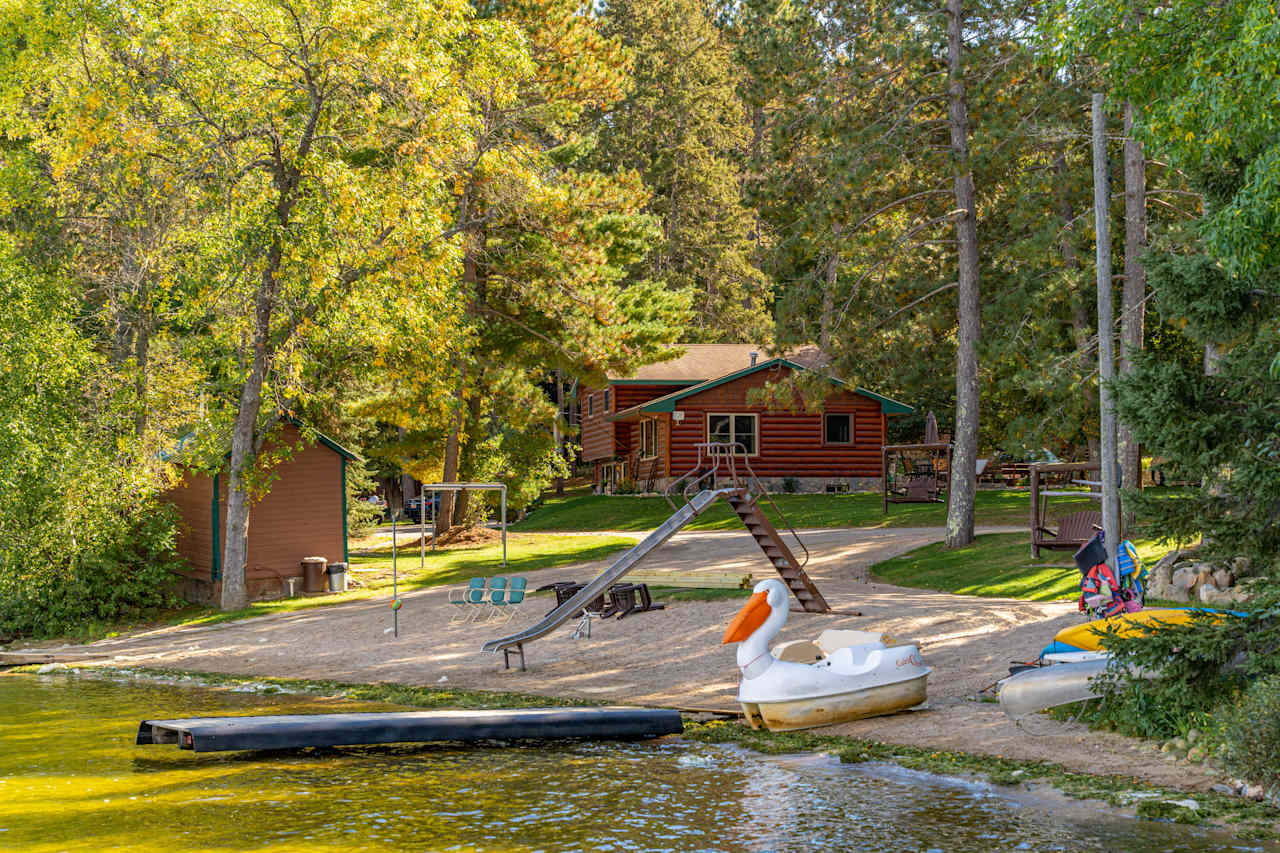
236,544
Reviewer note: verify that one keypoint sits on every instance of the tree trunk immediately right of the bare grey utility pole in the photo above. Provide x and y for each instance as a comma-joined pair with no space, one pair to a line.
1132,307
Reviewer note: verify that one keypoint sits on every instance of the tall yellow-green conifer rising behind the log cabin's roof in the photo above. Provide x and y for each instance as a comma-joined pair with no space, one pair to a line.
683,127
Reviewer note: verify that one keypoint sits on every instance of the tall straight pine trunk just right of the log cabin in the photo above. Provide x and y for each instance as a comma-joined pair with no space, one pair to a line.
963,487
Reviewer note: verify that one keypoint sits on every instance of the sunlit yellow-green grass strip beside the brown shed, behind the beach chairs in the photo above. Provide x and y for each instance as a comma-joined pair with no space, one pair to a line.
525,554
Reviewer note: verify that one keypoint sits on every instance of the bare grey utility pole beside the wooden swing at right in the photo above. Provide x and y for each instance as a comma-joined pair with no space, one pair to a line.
1107,349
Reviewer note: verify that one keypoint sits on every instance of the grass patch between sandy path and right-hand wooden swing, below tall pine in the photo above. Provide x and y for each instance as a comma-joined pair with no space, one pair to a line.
996,567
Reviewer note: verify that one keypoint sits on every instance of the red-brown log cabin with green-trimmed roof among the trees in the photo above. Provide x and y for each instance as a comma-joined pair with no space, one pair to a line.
642,432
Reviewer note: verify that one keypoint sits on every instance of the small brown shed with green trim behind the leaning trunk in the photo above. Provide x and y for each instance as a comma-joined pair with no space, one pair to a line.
303,516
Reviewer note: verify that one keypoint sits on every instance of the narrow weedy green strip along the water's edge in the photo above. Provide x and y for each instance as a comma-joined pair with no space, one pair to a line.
1054,784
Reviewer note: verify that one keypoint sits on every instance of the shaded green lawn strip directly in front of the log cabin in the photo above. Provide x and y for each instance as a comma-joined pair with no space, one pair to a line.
625,513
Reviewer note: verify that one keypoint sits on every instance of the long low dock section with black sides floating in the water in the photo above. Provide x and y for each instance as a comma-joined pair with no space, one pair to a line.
298,731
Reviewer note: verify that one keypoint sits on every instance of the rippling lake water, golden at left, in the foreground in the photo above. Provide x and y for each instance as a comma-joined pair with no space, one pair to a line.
72,779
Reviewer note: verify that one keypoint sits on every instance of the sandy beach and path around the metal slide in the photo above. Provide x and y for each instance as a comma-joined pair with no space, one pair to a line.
675,656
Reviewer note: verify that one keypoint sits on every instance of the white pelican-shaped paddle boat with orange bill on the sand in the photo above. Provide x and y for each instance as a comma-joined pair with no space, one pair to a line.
817,685
